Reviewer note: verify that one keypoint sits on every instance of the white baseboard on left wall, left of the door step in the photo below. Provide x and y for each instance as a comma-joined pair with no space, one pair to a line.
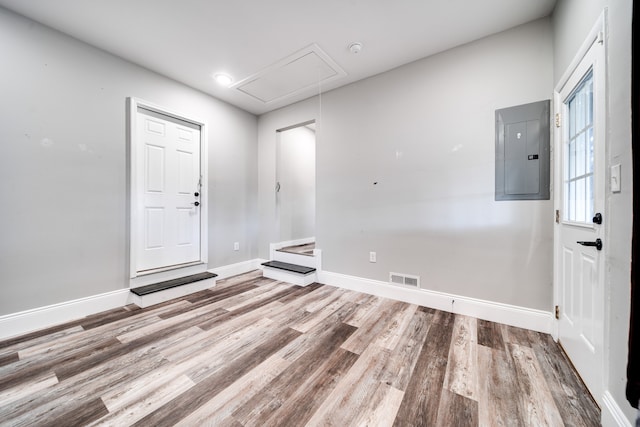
51,315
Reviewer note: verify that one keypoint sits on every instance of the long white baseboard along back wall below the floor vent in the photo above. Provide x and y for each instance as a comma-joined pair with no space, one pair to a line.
522,317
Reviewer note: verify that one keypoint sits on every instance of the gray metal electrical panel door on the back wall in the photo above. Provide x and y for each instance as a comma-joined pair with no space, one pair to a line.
522,152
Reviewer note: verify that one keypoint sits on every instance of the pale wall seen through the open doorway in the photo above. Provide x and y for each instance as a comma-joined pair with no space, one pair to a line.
296,173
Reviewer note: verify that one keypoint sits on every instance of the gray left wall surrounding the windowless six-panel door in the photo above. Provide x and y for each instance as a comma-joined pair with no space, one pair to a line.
63,167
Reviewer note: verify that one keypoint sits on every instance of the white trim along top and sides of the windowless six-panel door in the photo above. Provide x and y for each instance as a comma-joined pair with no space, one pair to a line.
133,104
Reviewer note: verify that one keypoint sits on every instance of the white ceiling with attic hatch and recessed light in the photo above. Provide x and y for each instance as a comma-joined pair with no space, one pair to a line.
251,40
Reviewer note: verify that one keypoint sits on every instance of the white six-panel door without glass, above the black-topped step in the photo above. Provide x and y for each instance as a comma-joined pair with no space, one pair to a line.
168,192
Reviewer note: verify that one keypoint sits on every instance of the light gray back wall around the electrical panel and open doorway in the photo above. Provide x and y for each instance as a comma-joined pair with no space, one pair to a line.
425,134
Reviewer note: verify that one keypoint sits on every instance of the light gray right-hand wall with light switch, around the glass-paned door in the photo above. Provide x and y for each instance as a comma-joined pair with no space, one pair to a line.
572,21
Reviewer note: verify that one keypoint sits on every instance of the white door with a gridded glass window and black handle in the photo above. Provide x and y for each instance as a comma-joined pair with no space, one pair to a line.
581,244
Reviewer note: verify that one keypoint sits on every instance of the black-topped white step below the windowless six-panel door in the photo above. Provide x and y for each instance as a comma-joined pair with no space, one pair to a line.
145,296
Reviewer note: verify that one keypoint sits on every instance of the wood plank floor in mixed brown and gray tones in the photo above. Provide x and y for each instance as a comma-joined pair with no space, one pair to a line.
256,352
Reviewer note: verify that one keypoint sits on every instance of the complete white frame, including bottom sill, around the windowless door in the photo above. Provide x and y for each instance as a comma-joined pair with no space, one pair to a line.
132,175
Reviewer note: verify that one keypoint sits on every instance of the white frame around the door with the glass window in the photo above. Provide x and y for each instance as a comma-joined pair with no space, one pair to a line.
598,34
